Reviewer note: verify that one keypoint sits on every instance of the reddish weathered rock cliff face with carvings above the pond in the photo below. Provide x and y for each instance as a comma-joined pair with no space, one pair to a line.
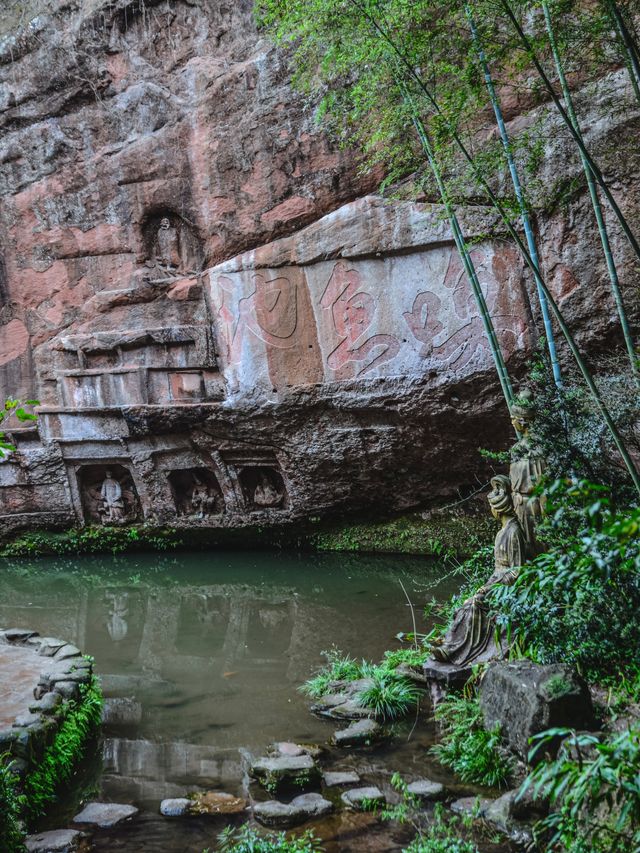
209,302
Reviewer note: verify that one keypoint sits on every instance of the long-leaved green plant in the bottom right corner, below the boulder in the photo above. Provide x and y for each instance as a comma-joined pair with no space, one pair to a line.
594,788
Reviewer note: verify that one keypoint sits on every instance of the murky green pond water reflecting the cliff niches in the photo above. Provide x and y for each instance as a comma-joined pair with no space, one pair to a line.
200,656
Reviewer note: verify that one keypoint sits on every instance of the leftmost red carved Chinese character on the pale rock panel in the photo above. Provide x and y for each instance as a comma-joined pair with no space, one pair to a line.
270,313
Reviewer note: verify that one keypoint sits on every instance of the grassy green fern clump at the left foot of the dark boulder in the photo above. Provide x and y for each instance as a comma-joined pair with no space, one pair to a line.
475,754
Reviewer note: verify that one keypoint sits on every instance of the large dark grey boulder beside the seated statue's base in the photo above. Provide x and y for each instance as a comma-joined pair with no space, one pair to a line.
525,698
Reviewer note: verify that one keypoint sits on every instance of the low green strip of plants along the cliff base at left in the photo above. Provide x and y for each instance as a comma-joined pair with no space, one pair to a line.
93,540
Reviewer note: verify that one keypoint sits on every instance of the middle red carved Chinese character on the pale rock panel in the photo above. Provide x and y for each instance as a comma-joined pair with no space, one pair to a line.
352,312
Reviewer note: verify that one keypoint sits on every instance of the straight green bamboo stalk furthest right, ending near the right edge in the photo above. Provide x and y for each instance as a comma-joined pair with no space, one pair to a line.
593,192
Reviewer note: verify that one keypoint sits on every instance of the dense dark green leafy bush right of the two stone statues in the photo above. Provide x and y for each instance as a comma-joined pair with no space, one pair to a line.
579,602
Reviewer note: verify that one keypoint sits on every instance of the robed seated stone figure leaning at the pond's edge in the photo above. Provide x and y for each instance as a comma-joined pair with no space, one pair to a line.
471,637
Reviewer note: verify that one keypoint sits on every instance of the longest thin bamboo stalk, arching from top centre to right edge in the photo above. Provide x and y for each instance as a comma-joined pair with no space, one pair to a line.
615,434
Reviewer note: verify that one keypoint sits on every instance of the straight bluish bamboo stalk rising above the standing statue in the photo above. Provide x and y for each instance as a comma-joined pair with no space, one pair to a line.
517,186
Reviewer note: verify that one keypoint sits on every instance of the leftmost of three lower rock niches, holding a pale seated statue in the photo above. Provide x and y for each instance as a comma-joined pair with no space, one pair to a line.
108,494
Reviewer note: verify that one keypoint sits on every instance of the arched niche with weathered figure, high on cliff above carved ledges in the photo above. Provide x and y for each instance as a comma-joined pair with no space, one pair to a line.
171,244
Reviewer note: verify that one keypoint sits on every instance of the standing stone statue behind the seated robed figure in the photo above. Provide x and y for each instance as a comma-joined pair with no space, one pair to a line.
527,467
